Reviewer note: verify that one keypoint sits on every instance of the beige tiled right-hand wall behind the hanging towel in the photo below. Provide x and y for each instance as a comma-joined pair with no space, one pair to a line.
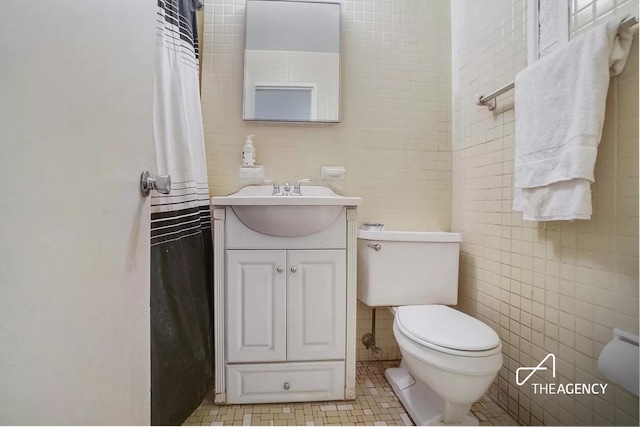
557,287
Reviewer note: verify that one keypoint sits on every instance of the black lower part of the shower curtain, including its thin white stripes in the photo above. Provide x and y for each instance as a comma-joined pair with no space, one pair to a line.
181,331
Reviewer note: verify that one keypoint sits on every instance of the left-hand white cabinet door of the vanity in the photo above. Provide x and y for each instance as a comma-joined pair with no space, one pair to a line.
256,306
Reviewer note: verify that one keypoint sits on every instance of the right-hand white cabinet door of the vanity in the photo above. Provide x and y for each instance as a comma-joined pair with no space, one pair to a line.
316,304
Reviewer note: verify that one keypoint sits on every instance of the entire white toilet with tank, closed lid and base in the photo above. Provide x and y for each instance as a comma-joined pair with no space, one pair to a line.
449,359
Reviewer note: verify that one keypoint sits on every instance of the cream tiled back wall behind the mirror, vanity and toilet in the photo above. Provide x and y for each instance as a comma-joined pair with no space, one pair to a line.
395,137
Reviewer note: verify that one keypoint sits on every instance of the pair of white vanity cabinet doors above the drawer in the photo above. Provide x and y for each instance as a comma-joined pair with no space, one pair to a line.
285,305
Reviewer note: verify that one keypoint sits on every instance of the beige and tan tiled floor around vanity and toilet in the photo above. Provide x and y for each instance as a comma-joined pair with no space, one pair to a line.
376,404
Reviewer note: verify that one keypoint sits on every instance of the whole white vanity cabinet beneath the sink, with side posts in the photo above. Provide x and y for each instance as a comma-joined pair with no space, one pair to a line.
284,312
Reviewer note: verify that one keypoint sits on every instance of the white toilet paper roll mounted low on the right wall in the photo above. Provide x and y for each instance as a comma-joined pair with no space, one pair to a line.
618,362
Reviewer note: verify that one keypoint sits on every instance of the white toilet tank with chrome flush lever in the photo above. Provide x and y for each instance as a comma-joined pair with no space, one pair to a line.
408,268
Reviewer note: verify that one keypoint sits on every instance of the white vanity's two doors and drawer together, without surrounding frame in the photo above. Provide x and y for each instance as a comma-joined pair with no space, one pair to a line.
285,306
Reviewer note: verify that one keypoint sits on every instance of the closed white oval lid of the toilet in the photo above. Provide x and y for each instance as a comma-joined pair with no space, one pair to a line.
445,327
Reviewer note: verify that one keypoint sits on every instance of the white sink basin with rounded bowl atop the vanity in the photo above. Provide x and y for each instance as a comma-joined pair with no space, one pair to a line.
286,216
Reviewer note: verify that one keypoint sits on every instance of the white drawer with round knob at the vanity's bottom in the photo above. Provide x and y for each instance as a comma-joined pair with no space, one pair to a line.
285,382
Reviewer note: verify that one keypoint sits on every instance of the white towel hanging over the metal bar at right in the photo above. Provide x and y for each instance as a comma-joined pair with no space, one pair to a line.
560,102
